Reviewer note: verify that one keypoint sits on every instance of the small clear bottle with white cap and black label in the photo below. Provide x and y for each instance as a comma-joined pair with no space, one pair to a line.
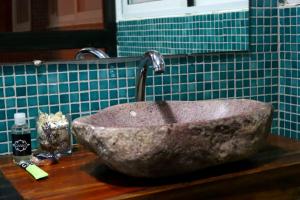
21,139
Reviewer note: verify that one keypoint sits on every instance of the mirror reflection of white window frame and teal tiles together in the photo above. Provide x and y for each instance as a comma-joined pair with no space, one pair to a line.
182,26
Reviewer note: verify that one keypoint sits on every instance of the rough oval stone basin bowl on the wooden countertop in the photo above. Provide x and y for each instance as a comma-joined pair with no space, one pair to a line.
155,139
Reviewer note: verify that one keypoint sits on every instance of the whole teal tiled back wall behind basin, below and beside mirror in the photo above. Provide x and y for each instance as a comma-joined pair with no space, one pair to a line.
82,88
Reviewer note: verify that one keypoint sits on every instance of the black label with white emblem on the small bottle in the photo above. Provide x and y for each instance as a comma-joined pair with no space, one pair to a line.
21,144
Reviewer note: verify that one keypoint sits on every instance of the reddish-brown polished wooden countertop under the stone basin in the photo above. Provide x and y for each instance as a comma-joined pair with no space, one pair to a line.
274,173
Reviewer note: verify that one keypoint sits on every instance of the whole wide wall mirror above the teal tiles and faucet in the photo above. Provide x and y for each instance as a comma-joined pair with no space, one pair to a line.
58,29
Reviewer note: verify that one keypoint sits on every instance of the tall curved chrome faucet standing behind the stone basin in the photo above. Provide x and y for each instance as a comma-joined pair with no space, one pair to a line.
151,58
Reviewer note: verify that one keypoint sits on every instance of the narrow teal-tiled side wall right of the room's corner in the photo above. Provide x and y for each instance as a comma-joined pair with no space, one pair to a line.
289,85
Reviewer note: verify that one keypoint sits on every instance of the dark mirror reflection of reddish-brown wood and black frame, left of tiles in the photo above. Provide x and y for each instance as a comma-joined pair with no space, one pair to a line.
51,29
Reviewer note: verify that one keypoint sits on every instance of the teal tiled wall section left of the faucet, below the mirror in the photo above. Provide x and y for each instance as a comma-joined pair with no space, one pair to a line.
76,88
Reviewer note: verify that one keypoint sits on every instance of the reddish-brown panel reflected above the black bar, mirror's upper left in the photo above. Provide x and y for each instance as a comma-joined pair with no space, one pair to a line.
49,15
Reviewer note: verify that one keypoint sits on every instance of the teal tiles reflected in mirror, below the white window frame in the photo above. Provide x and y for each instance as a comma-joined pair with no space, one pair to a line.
189,34
